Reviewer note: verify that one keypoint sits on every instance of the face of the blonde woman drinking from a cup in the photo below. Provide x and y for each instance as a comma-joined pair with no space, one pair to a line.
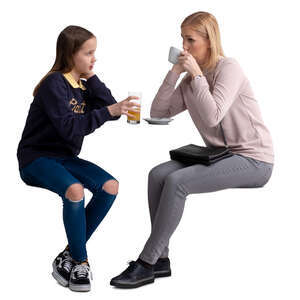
195,44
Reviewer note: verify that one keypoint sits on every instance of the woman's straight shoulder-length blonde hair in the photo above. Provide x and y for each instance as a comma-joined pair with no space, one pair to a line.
206,25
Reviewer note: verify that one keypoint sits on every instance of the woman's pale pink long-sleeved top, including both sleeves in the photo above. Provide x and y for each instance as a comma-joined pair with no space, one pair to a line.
222,95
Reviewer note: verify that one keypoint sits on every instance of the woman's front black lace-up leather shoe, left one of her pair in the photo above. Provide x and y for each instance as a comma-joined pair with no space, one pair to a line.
134,276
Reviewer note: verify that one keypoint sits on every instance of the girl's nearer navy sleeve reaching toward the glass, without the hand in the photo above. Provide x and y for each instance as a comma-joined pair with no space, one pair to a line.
55,102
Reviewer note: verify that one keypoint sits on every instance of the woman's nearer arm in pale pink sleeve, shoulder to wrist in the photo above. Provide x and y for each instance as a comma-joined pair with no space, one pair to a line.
213,106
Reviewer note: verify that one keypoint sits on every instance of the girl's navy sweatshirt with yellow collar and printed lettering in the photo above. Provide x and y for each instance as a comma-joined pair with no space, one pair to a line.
61,114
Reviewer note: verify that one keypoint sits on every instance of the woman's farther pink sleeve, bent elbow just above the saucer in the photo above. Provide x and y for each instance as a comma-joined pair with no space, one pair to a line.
168,101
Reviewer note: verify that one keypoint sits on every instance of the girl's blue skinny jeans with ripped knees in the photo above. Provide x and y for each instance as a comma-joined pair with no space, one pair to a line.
56,175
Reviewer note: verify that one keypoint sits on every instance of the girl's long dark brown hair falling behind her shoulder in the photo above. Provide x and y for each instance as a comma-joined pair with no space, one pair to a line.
68,43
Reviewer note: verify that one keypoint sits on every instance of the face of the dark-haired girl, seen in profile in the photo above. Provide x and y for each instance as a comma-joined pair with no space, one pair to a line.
84,58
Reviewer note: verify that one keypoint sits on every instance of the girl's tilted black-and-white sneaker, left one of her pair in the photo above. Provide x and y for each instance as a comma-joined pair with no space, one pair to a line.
62,267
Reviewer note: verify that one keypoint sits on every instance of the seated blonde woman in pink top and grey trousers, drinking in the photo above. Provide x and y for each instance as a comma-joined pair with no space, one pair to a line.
214,89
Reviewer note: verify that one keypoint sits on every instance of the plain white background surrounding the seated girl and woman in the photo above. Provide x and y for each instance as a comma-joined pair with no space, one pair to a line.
231,244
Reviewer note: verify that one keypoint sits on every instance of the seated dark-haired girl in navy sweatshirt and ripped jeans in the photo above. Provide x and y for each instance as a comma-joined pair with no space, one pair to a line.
64,110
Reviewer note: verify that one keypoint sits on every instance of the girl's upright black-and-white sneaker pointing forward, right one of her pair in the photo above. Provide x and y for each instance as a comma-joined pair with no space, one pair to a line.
80,278
